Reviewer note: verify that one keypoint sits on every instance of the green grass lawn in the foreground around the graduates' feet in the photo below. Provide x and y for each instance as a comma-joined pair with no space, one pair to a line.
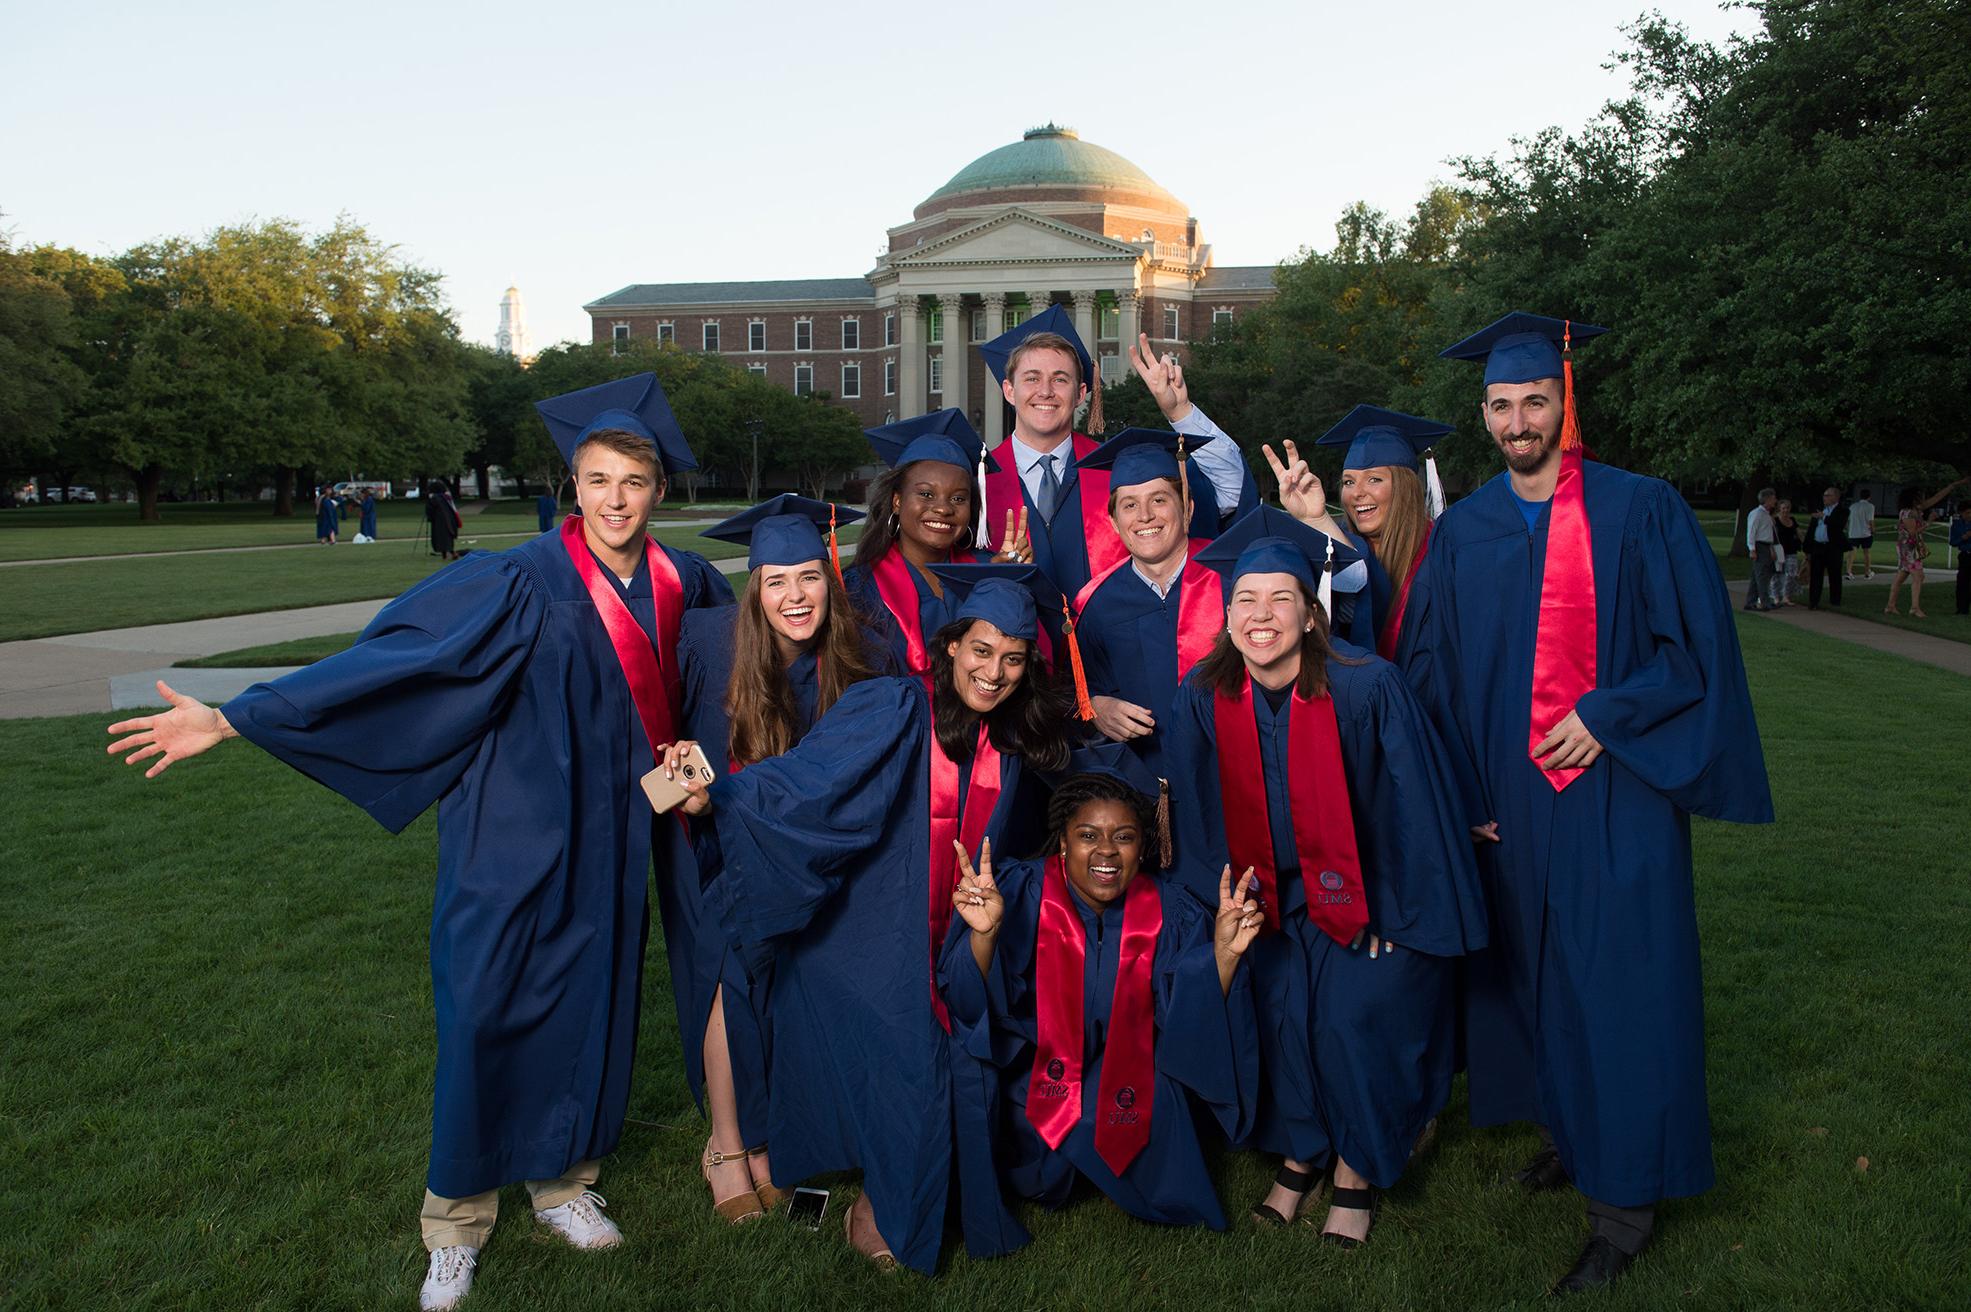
220,1055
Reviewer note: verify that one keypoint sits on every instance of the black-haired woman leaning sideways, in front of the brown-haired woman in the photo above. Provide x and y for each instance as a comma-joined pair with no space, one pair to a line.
839,858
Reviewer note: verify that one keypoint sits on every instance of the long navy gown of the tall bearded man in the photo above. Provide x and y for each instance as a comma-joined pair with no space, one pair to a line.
1588,1010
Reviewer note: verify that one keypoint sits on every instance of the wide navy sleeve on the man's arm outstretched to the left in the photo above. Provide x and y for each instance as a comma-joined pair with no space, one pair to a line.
393,722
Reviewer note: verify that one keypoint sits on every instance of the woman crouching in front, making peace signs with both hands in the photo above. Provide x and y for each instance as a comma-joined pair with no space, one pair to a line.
1113,996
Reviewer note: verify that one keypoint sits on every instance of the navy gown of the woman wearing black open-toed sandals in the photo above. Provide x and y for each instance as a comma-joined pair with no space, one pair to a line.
1357,1055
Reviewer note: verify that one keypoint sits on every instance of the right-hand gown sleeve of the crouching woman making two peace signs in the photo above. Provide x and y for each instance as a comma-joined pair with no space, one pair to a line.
1207,1039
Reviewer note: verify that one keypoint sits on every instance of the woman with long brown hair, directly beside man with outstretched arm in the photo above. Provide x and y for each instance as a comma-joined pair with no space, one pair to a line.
756,679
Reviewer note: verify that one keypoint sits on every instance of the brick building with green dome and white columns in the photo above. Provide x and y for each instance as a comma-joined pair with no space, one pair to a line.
1046,220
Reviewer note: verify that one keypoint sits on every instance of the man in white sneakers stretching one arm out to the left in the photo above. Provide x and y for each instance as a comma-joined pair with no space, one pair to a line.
523,692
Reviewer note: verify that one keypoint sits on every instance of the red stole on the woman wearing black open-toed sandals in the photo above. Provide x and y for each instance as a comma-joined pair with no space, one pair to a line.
1318,799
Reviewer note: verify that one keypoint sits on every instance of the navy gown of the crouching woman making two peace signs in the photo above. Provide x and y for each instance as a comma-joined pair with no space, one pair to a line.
1207,1049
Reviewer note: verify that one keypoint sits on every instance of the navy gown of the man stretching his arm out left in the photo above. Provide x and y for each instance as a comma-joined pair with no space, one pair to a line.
492,690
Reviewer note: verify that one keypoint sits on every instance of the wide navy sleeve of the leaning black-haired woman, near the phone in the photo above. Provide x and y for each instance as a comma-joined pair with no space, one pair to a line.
791,828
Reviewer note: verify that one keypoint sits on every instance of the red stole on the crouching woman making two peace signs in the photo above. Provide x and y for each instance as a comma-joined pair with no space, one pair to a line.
1128,1088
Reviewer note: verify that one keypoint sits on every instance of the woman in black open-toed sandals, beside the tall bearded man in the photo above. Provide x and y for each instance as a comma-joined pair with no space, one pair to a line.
1322,773
